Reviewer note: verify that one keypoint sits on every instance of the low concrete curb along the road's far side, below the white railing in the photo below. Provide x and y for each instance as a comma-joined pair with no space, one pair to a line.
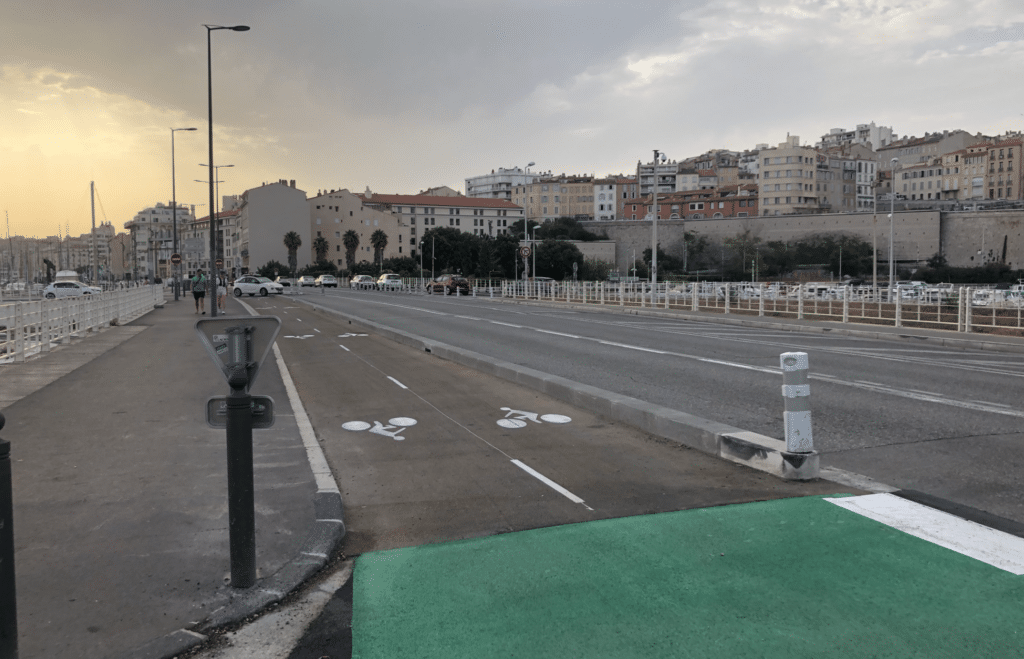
898,333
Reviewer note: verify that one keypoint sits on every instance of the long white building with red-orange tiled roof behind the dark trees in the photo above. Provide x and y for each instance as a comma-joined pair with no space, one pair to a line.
420,213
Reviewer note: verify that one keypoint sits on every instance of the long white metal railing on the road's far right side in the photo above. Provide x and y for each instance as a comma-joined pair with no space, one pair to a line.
956,309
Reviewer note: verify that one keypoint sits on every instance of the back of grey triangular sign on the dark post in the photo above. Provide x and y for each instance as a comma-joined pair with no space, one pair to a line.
239,340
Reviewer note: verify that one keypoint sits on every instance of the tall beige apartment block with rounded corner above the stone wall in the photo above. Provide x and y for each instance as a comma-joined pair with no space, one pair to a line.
791,182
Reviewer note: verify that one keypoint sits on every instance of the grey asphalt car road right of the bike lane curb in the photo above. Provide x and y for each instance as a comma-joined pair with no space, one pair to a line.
912,415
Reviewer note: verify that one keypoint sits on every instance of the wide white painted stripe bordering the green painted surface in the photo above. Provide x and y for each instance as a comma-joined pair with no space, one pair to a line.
970,539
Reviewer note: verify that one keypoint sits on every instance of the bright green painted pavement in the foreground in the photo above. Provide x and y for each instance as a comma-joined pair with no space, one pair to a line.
799,578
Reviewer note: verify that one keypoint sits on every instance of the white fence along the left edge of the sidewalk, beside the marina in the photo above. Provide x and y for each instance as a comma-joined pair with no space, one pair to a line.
32,328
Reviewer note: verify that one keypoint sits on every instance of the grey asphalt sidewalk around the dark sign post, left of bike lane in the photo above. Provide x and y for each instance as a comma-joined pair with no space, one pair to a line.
120,492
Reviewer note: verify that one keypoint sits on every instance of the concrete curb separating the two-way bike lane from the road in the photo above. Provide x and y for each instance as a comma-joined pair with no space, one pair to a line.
758,452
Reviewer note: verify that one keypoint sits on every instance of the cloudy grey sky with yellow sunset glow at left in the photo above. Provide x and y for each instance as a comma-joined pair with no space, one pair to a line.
401,96
